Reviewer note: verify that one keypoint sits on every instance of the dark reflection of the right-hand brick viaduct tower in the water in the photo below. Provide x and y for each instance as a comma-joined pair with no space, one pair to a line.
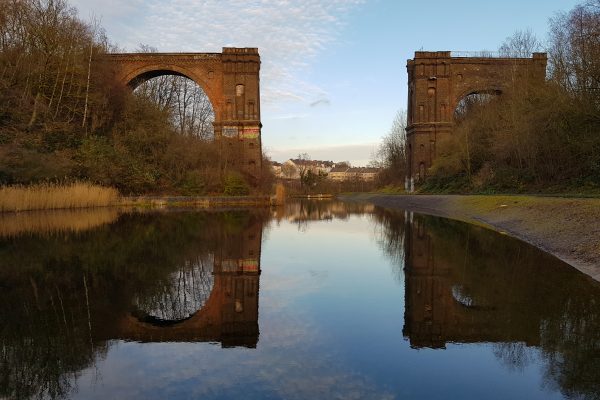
439,308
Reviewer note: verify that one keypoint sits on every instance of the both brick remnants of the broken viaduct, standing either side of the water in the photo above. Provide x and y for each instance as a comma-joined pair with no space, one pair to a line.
437,82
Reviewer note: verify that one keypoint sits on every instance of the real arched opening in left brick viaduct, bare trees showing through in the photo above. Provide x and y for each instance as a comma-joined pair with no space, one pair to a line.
187,104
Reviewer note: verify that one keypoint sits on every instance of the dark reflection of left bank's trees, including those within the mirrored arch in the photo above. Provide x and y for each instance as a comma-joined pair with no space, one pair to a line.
62,295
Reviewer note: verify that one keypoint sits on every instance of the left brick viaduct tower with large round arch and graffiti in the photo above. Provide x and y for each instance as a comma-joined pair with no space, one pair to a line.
231,82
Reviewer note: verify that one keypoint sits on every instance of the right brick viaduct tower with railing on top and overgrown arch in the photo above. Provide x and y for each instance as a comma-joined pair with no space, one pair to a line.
437,82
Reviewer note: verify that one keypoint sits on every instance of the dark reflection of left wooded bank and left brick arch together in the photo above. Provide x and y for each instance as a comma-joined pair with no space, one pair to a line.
146,277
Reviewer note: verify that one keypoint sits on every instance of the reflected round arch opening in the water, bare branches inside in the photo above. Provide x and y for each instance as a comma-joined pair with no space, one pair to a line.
178,296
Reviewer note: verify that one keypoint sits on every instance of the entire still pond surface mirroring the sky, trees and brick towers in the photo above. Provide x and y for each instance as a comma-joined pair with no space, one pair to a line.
311,300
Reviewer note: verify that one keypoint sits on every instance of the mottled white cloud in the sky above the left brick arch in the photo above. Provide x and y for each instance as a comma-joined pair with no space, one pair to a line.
288,33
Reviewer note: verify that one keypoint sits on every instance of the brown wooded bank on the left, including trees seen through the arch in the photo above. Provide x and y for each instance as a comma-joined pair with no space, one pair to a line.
63,115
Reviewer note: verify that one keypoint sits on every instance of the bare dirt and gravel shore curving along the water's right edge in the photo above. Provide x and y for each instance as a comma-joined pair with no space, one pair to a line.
565,227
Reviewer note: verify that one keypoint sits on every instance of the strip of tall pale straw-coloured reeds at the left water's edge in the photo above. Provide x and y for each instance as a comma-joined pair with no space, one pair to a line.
56,196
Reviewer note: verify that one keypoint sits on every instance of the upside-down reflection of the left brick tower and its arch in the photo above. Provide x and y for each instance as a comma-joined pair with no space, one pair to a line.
229,315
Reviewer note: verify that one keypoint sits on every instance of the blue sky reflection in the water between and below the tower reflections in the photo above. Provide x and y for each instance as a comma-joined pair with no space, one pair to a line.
331,317
